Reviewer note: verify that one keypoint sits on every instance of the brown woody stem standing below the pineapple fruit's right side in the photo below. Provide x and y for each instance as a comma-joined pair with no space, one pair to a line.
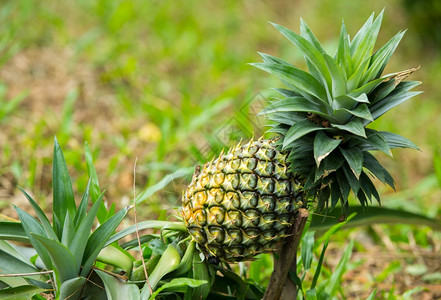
280,287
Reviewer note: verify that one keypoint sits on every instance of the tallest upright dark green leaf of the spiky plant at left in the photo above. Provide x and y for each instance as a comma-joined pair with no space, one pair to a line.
63,197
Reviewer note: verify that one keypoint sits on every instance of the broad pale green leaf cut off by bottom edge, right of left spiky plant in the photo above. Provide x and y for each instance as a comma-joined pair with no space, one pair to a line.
117,289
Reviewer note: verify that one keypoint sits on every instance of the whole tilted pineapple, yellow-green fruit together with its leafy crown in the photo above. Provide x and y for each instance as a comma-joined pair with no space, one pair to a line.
243,203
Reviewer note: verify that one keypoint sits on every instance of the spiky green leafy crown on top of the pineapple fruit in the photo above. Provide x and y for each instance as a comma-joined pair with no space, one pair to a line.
322,116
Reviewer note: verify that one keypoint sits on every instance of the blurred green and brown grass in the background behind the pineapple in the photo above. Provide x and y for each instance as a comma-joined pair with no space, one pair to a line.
168,84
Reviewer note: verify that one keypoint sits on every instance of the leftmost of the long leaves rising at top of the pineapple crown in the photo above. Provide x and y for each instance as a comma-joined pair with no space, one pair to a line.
311,53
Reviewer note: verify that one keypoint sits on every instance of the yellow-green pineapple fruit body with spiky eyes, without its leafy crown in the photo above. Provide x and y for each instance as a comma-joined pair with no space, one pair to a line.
242,203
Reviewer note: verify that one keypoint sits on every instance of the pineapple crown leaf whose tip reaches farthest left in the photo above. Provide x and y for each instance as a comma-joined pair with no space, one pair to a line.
301,80
